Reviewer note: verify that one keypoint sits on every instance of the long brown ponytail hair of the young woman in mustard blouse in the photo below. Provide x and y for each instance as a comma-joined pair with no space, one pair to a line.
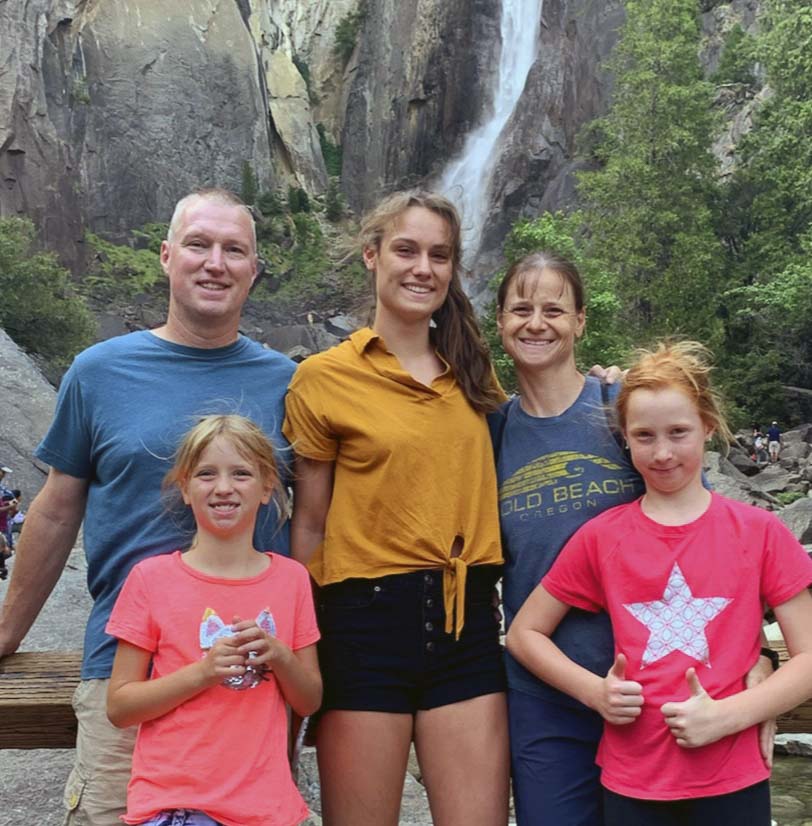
456,336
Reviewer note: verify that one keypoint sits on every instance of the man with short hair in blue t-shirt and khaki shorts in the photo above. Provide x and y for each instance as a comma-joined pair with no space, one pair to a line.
121,409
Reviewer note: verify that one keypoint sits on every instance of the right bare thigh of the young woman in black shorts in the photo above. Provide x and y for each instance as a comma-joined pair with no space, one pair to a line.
462,749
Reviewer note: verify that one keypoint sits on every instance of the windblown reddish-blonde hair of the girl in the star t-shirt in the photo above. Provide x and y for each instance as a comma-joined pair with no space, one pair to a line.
685,365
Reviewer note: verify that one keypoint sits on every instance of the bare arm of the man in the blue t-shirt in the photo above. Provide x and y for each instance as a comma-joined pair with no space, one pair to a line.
42,551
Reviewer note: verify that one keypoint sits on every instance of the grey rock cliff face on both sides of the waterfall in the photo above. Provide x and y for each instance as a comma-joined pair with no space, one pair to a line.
112,109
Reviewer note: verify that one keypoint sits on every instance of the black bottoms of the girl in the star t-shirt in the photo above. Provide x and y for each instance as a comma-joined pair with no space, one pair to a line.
745,807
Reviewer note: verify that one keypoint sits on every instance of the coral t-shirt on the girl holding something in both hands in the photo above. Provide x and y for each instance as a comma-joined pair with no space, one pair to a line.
223,752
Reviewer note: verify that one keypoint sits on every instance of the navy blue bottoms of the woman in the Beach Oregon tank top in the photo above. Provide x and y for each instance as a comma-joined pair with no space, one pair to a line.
552,760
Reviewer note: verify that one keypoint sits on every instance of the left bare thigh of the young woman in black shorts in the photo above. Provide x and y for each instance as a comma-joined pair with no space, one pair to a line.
362,758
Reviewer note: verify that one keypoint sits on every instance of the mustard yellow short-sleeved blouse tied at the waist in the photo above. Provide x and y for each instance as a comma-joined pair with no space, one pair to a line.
414,468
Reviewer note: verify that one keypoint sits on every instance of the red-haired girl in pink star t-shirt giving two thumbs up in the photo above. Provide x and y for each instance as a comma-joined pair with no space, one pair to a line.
684,575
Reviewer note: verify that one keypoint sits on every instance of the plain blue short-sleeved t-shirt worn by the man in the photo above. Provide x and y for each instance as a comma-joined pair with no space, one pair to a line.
121,410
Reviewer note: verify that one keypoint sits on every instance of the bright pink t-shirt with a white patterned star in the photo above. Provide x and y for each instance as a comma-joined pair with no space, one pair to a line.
690,595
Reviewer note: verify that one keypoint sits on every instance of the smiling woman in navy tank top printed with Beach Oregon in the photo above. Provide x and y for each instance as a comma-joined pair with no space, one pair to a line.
560,462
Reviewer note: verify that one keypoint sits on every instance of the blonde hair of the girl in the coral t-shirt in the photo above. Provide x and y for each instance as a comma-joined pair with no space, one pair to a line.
248,440
